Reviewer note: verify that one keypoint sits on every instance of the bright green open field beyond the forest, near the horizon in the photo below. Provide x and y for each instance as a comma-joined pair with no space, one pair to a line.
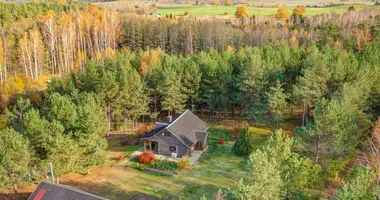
208,10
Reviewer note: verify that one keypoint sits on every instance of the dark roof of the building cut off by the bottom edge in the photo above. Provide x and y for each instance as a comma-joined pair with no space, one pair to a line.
51,191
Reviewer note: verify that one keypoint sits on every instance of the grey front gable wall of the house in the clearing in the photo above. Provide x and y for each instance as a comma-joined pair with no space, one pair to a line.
165,141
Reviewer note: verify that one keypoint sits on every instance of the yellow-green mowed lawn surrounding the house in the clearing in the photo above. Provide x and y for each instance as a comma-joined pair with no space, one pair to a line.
217,169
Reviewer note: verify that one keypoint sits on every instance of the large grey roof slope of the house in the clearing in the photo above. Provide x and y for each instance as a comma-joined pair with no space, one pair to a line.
185,127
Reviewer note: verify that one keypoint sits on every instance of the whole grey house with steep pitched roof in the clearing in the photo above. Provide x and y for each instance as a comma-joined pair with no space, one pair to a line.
178,138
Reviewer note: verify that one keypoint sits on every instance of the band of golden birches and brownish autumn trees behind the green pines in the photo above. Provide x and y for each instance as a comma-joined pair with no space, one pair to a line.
57,37
